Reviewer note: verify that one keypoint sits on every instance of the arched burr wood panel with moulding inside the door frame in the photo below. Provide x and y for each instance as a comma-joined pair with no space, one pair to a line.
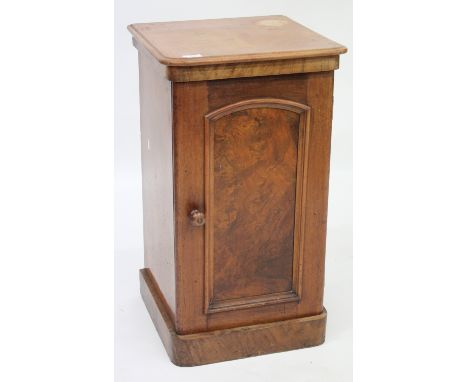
254,189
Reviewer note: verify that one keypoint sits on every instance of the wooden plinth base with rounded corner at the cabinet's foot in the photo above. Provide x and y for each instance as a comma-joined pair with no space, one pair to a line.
228,344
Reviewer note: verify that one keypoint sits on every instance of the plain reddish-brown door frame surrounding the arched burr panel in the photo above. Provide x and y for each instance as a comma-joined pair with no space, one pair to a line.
192,101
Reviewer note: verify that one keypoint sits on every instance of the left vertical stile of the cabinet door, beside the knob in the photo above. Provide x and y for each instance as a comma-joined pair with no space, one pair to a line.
190,104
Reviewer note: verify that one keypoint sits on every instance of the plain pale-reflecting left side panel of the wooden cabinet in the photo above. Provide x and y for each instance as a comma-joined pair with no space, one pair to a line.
157,184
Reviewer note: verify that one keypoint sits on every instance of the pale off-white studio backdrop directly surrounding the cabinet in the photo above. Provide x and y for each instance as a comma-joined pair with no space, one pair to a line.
140,355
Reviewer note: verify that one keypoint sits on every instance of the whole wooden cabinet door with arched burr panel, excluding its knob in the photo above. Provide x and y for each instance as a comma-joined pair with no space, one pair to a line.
252,154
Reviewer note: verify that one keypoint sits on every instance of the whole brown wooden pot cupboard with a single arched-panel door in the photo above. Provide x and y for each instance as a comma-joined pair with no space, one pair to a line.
236,121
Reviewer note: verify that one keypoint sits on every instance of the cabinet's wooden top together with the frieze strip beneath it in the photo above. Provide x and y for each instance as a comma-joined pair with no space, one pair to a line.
203,50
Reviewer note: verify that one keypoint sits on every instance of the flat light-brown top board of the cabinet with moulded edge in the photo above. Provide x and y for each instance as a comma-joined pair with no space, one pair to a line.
245,39
